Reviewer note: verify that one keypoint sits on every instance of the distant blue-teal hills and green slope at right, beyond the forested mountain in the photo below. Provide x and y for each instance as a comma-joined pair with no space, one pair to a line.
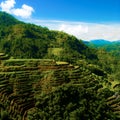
109,56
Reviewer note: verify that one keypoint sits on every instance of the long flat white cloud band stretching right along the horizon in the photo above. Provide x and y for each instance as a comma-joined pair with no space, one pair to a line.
82,30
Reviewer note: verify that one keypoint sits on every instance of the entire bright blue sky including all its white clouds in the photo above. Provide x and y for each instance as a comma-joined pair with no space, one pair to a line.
85,19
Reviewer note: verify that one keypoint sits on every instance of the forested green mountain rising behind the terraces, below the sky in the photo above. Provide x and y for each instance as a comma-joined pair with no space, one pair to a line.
22,40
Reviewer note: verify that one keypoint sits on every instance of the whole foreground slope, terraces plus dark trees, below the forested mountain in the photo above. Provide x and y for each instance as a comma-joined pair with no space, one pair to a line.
46,89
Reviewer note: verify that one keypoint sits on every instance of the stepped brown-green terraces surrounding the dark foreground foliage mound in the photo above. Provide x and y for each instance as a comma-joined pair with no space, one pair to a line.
24,81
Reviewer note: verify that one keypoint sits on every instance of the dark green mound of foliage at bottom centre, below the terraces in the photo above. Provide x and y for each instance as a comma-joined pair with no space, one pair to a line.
72,103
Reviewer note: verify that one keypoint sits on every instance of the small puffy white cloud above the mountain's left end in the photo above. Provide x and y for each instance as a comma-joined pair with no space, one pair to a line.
9,6
